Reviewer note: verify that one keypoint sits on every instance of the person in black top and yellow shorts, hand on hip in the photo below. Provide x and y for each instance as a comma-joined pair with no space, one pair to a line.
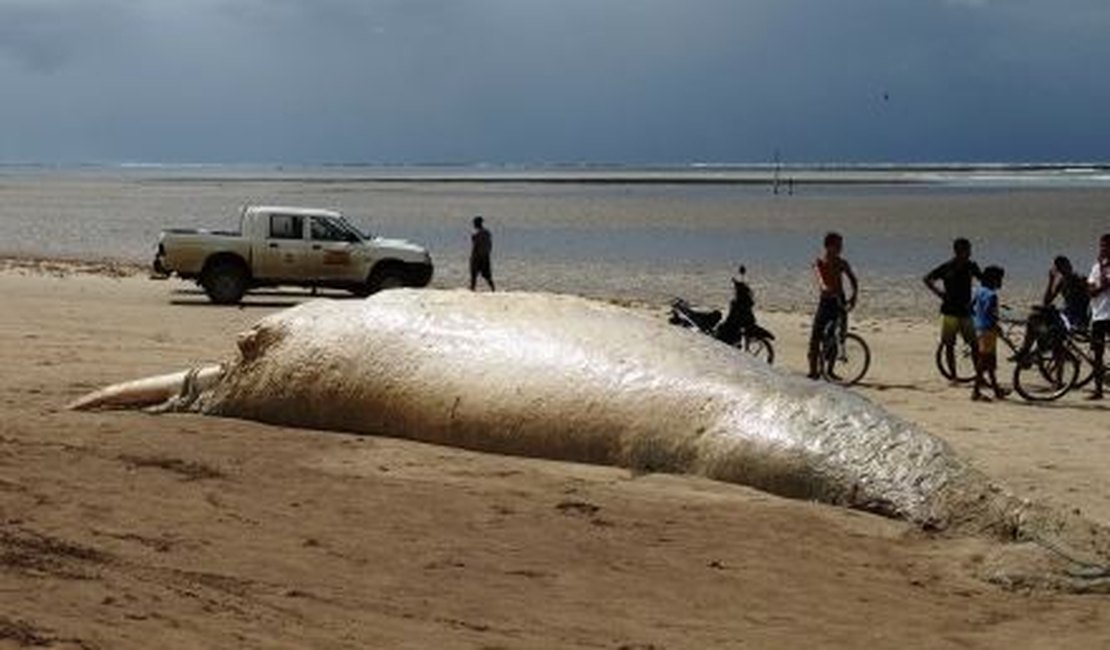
956,299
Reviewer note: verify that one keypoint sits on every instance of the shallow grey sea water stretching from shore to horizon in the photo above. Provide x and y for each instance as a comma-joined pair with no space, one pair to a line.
645,235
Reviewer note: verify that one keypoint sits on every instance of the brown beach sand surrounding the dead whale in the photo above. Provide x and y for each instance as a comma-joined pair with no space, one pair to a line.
133,531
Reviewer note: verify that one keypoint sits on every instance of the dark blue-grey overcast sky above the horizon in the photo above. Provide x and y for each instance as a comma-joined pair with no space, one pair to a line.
527,82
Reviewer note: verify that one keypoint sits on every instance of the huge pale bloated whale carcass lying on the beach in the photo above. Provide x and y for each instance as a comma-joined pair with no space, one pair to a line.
569,379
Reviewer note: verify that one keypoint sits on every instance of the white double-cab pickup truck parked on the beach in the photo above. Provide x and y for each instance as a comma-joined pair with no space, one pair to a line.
290,247
